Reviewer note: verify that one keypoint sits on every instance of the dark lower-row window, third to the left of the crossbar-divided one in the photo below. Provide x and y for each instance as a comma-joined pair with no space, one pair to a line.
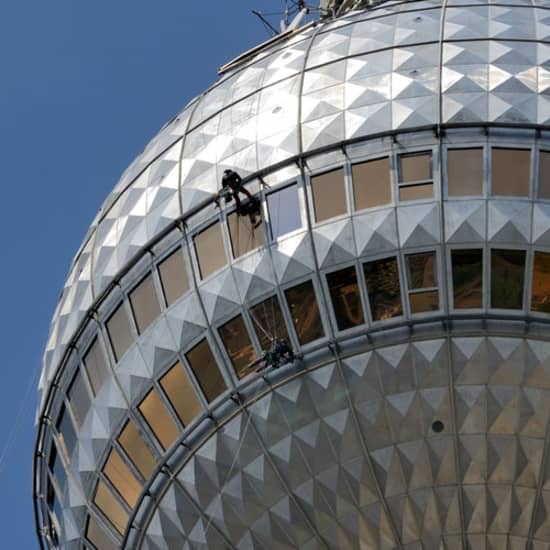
305,312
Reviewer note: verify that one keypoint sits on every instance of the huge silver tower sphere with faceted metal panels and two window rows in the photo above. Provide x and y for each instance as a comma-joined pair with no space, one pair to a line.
315,310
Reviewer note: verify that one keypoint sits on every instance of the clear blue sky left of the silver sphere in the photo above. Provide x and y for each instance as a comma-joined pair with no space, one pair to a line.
83,87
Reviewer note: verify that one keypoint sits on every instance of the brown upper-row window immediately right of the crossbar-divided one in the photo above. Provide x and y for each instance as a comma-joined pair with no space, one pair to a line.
464,172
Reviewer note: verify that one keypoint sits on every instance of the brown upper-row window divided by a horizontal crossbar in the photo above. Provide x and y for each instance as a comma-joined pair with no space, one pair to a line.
415,176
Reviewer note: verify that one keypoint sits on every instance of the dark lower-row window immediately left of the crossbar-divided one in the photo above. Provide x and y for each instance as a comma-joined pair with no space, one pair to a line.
383,288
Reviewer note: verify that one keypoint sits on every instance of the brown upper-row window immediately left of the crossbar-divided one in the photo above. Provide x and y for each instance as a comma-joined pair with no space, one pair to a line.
371,183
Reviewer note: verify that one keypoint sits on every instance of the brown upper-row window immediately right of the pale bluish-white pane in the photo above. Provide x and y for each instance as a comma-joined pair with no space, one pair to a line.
329,195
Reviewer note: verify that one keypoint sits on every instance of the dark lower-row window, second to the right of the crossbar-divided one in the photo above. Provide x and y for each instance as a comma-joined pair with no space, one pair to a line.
507,274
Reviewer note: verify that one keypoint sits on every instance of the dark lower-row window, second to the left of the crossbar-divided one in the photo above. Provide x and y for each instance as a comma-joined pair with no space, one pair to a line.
345,297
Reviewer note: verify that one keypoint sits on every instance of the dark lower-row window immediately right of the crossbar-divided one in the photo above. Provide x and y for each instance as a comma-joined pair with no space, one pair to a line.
467,278
